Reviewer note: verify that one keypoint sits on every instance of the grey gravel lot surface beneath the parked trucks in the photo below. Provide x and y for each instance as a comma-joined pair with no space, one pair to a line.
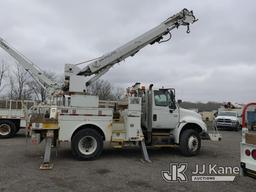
115,170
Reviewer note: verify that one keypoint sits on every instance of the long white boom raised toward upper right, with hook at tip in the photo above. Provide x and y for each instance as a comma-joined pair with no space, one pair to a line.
101,65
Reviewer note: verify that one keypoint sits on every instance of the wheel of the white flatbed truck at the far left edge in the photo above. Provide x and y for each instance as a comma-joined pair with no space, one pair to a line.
7,129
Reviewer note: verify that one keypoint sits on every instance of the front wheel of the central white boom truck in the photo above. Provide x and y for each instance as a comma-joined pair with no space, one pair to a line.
190,142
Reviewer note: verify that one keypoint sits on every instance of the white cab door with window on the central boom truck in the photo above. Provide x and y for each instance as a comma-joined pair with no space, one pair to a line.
165,114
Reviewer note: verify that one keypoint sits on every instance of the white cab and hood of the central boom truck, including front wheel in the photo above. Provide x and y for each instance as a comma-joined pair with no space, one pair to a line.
165,123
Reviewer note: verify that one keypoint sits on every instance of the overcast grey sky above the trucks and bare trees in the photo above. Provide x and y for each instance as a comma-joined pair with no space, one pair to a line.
215,62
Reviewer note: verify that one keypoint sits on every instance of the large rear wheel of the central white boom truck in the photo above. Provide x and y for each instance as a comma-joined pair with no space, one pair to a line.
89,137
